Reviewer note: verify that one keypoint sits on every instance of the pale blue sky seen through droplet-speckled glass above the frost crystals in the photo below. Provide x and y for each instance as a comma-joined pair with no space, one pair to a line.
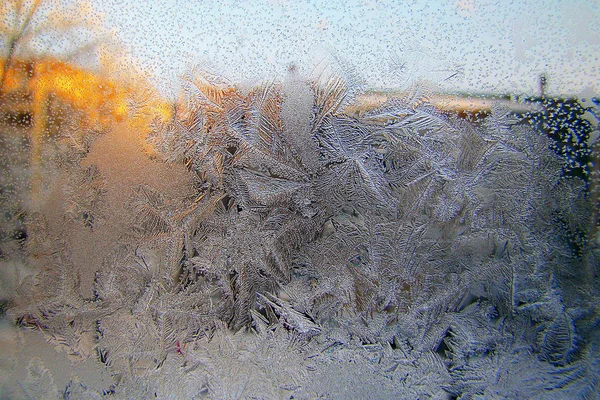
458,45
